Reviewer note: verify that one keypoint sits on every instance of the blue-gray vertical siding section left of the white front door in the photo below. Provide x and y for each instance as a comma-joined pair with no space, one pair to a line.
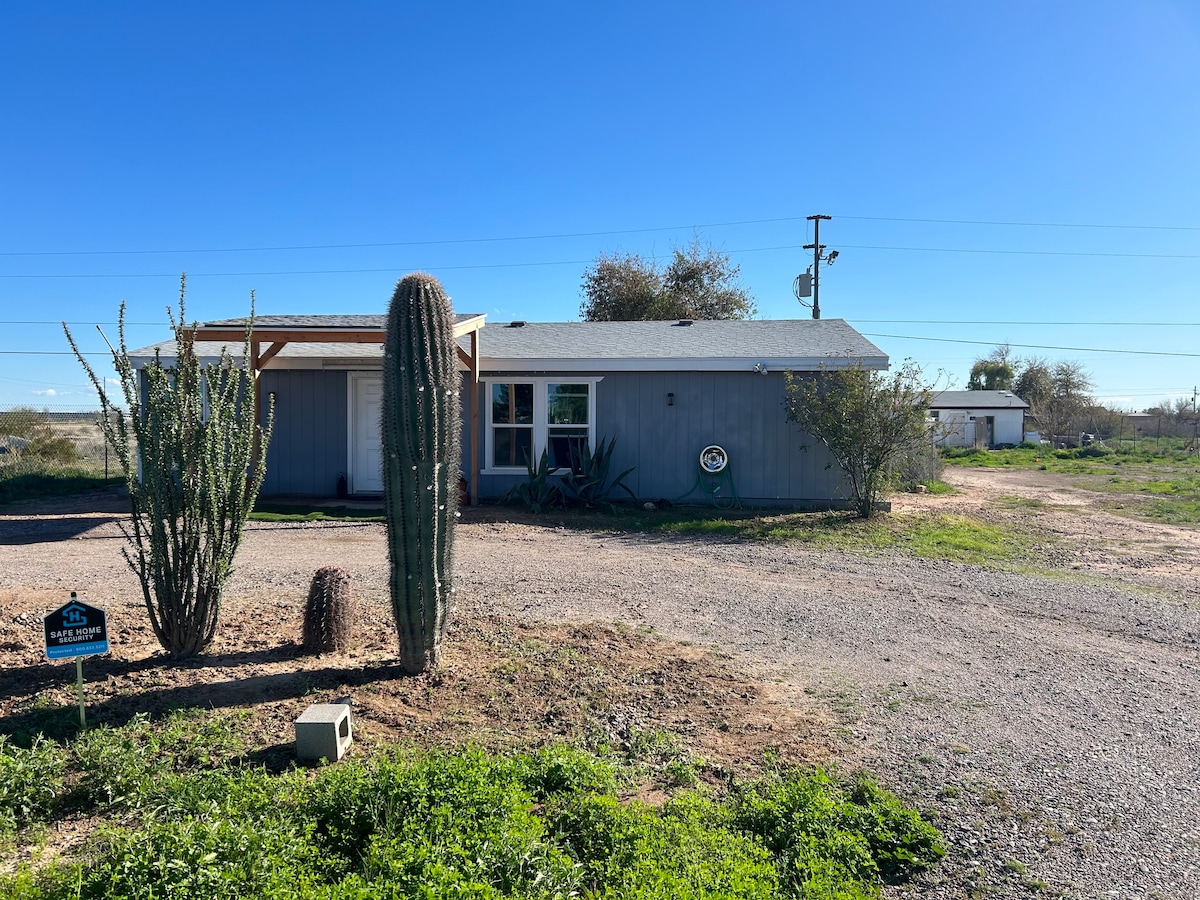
309,448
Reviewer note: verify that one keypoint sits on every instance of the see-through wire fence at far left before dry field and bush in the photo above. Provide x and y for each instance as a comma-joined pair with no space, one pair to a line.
56,442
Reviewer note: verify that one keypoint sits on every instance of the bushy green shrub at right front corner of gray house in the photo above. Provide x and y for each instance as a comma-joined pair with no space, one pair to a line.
871,422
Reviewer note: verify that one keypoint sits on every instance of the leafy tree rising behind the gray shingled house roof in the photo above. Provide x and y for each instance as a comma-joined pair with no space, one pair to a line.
700,283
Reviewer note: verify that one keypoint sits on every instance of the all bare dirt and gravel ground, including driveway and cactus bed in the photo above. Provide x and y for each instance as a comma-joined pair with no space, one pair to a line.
1048,721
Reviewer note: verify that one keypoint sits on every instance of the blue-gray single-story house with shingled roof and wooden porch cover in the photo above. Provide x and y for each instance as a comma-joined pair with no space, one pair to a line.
664,391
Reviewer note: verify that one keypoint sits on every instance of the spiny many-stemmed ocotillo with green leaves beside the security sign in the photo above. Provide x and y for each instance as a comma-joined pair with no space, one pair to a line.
193,478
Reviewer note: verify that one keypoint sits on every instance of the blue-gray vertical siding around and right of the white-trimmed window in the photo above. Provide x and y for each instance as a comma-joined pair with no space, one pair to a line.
743,412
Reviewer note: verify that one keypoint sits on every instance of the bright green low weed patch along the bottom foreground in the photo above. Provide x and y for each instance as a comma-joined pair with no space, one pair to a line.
452,824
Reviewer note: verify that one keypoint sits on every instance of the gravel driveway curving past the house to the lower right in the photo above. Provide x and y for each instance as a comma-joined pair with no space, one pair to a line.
1052,725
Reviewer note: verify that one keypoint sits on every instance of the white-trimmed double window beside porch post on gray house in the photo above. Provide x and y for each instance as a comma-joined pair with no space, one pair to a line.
527,416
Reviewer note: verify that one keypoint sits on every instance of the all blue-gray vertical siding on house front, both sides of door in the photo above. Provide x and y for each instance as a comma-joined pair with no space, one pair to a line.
743,412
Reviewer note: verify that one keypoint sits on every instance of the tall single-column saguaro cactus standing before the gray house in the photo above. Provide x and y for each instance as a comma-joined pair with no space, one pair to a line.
421,464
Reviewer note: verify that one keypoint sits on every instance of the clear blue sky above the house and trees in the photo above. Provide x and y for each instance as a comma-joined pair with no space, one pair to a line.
315,153
